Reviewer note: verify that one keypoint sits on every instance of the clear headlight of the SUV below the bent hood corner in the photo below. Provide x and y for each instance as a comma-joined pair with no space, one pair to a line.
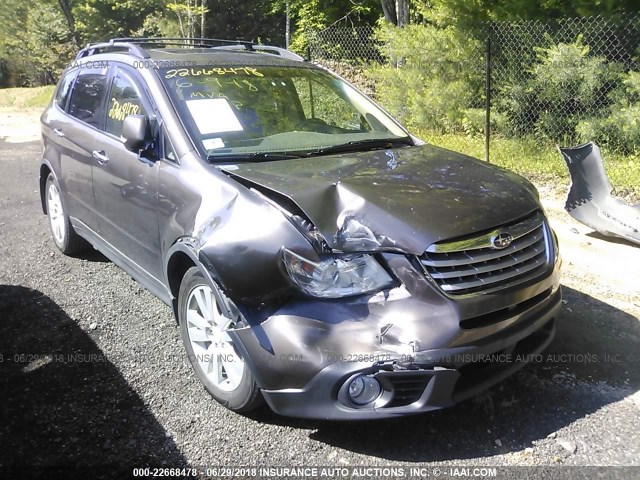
336,276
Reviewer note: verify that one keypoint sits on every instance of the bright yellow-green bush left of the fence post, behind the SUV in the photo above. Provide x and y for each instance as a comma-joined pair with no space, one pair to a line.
439,76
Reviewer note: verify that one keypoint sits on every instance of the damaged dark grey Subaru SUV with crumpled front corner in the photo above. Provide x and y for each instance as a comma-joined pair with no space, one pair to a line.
317,256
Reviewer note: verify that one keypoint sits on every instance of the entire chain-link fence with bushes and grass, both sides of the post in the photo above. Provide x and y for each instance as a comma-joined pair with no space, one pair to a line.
560,82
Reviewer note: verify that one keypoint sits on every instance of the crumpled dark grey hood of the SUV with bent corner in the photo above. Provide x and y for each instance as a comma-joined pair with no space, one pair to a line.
402,199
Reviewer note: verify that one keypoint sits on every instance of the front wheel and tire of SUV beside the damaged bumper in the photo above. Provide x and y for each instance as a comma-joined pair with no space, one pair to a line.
217,363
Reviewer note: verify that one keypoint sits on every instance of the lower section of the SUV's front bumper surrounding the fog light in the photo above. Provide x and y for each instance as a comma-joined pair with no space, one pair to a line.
410,387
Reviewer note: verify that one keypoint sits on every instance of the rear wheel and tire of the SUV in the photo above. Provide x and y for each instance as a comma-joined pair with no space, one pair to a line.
64,236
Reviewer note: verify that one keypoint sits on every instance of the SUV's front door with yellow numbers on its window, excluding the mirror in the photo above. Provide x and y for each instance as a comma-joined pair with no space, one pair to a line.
125,183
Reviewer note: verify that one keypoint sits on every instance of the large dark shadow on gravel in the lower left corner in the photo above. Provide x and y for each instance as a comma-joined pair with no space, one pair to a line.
63,402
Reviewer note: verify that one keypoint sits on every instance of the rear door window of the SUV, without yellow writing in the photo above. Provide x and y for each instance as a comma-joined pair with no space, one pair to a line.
87,98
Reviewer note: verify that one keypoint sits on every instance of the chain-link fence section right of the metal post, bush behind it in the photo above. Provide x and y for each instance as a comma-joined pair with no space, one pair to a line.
568,80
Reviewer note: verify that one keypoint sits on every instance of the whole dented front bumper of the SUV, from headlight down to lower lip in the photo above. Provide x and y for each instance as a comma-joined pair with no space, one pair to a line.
426,350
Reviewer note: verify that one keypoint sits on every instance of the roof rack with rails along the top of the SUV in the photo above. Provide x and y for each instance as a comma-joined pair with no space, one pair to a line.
134,46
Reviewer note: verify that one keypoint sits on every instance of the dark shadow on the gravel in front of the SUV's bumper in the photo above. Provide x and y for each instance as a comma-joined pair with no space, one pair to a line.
585,368
